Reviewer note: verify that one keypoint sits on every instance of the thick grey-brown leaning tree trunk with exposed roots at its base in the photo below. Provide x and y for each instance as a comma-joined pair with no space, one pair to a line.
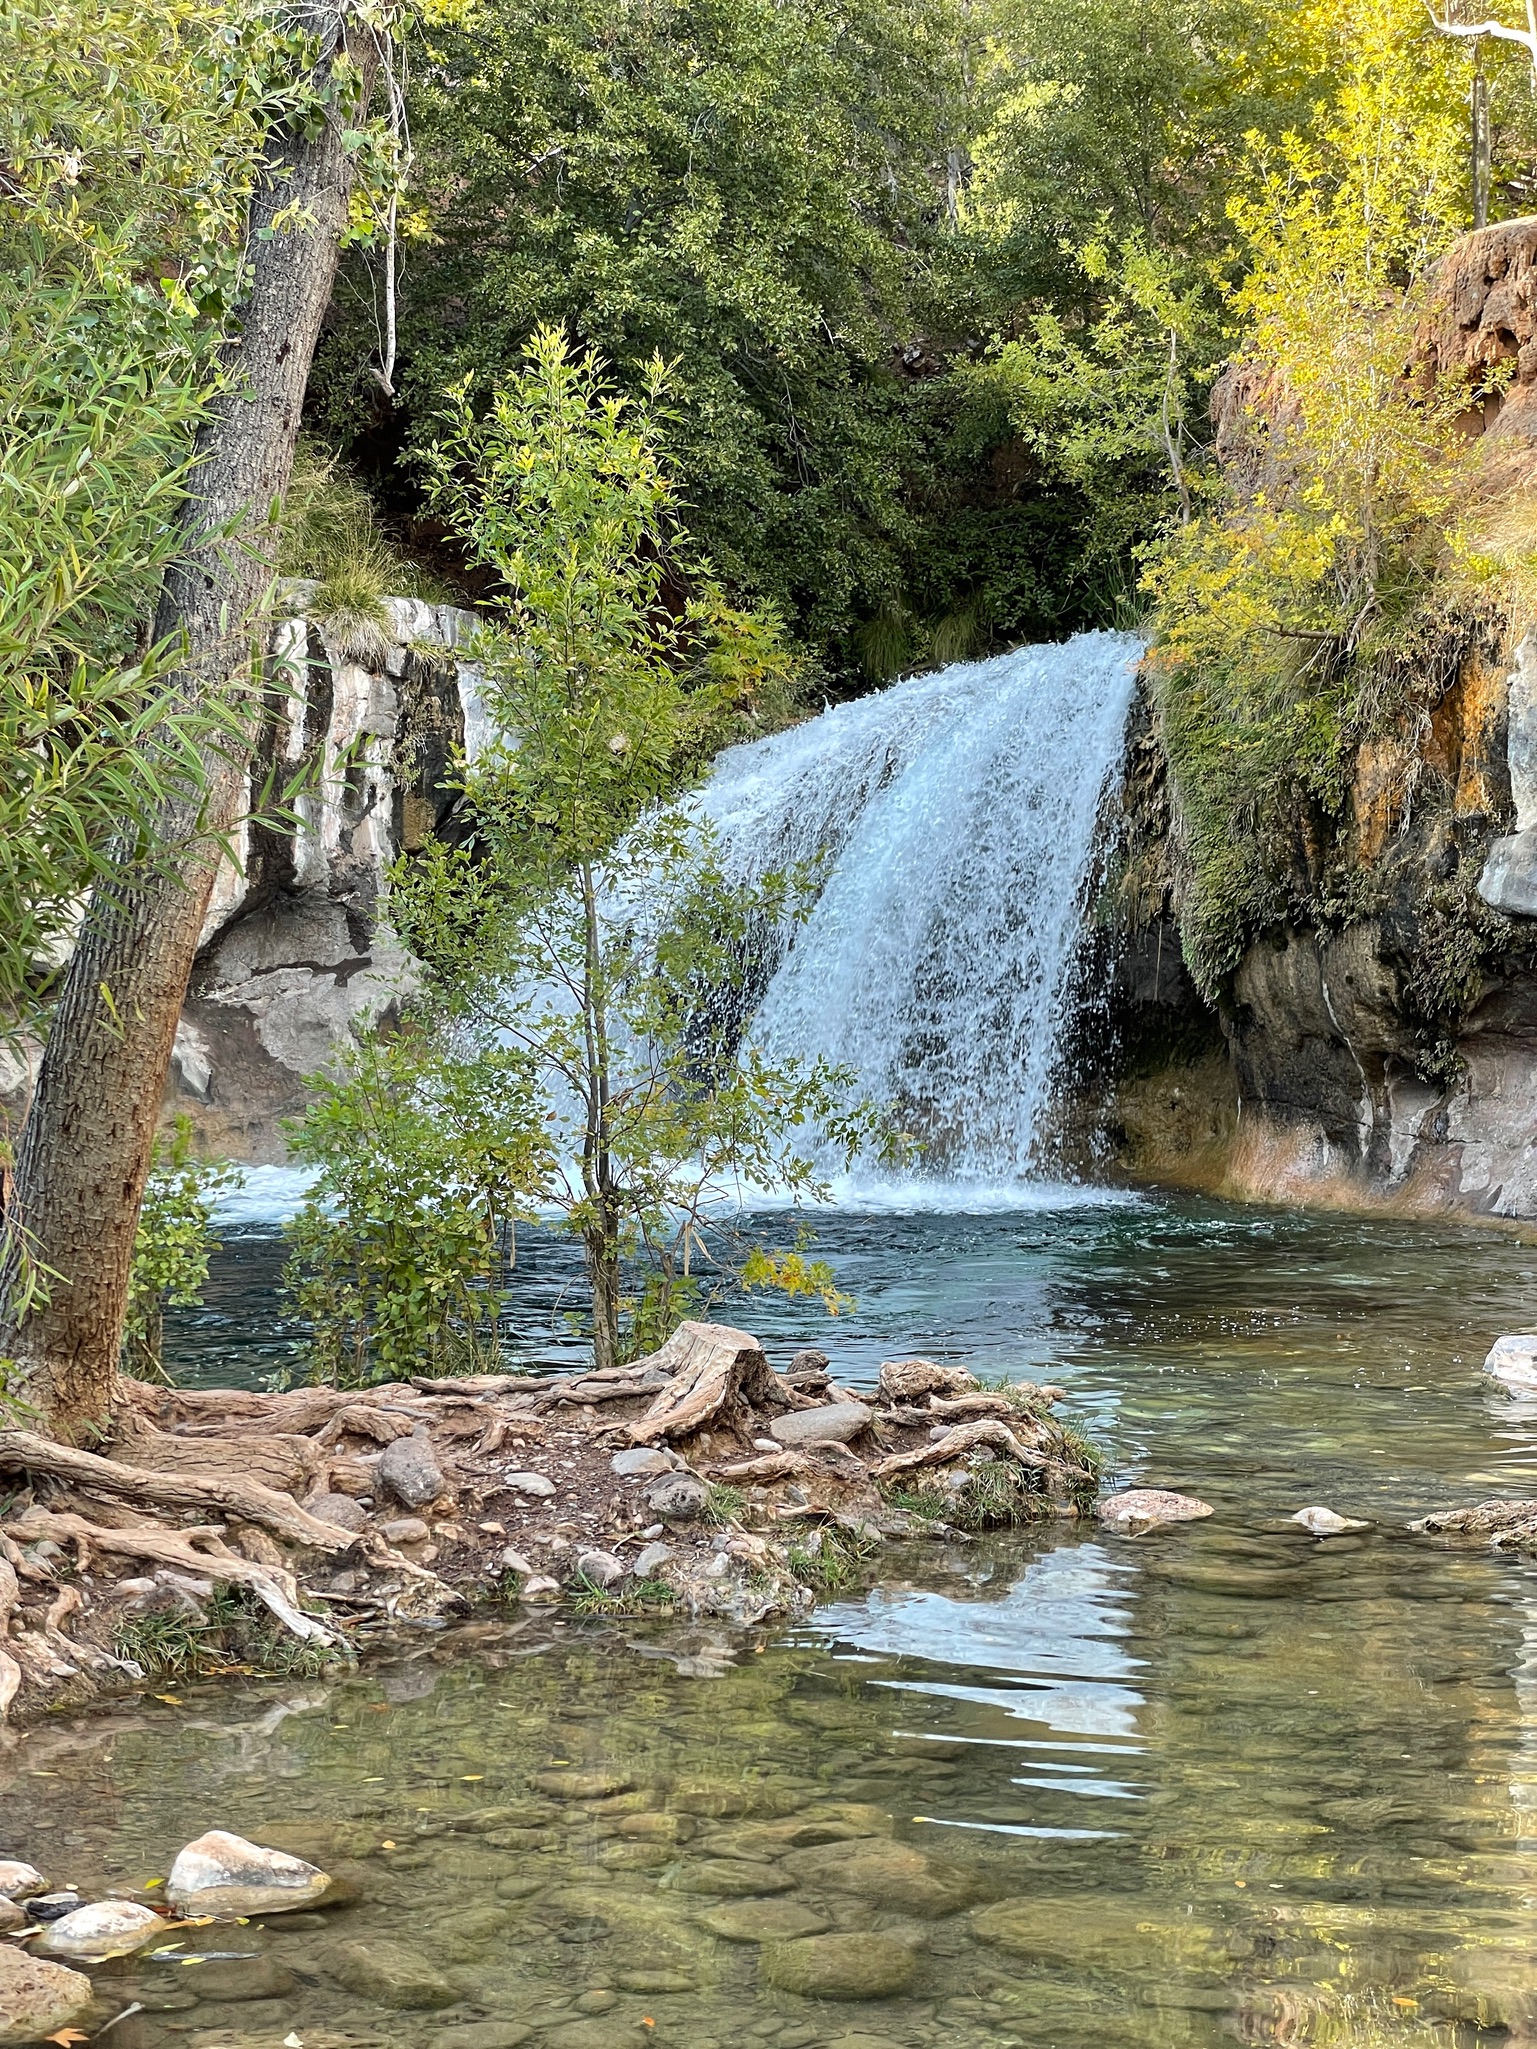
85,1153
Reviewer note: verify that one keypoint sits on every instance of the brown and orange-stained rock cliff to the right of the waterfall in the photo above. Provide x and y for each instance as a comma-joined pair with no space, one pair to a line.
1386,1052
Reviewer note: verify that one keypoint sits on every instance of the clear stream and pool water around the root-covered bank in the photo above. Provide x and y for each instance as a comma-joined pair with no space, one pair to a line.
1239,1784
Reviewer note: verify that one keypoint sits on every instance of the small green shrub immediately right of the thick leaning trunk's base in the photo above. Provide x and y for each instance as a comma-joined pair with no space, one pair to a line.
173,1247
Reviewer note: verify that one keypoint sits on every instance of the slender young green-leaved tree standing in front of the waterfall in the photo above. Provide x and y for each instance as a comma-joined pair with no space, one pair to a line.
585,956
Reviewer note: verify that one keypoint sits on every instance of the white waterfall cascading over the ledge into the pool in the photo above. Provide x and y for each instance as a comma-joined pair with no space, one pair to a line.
958,817
